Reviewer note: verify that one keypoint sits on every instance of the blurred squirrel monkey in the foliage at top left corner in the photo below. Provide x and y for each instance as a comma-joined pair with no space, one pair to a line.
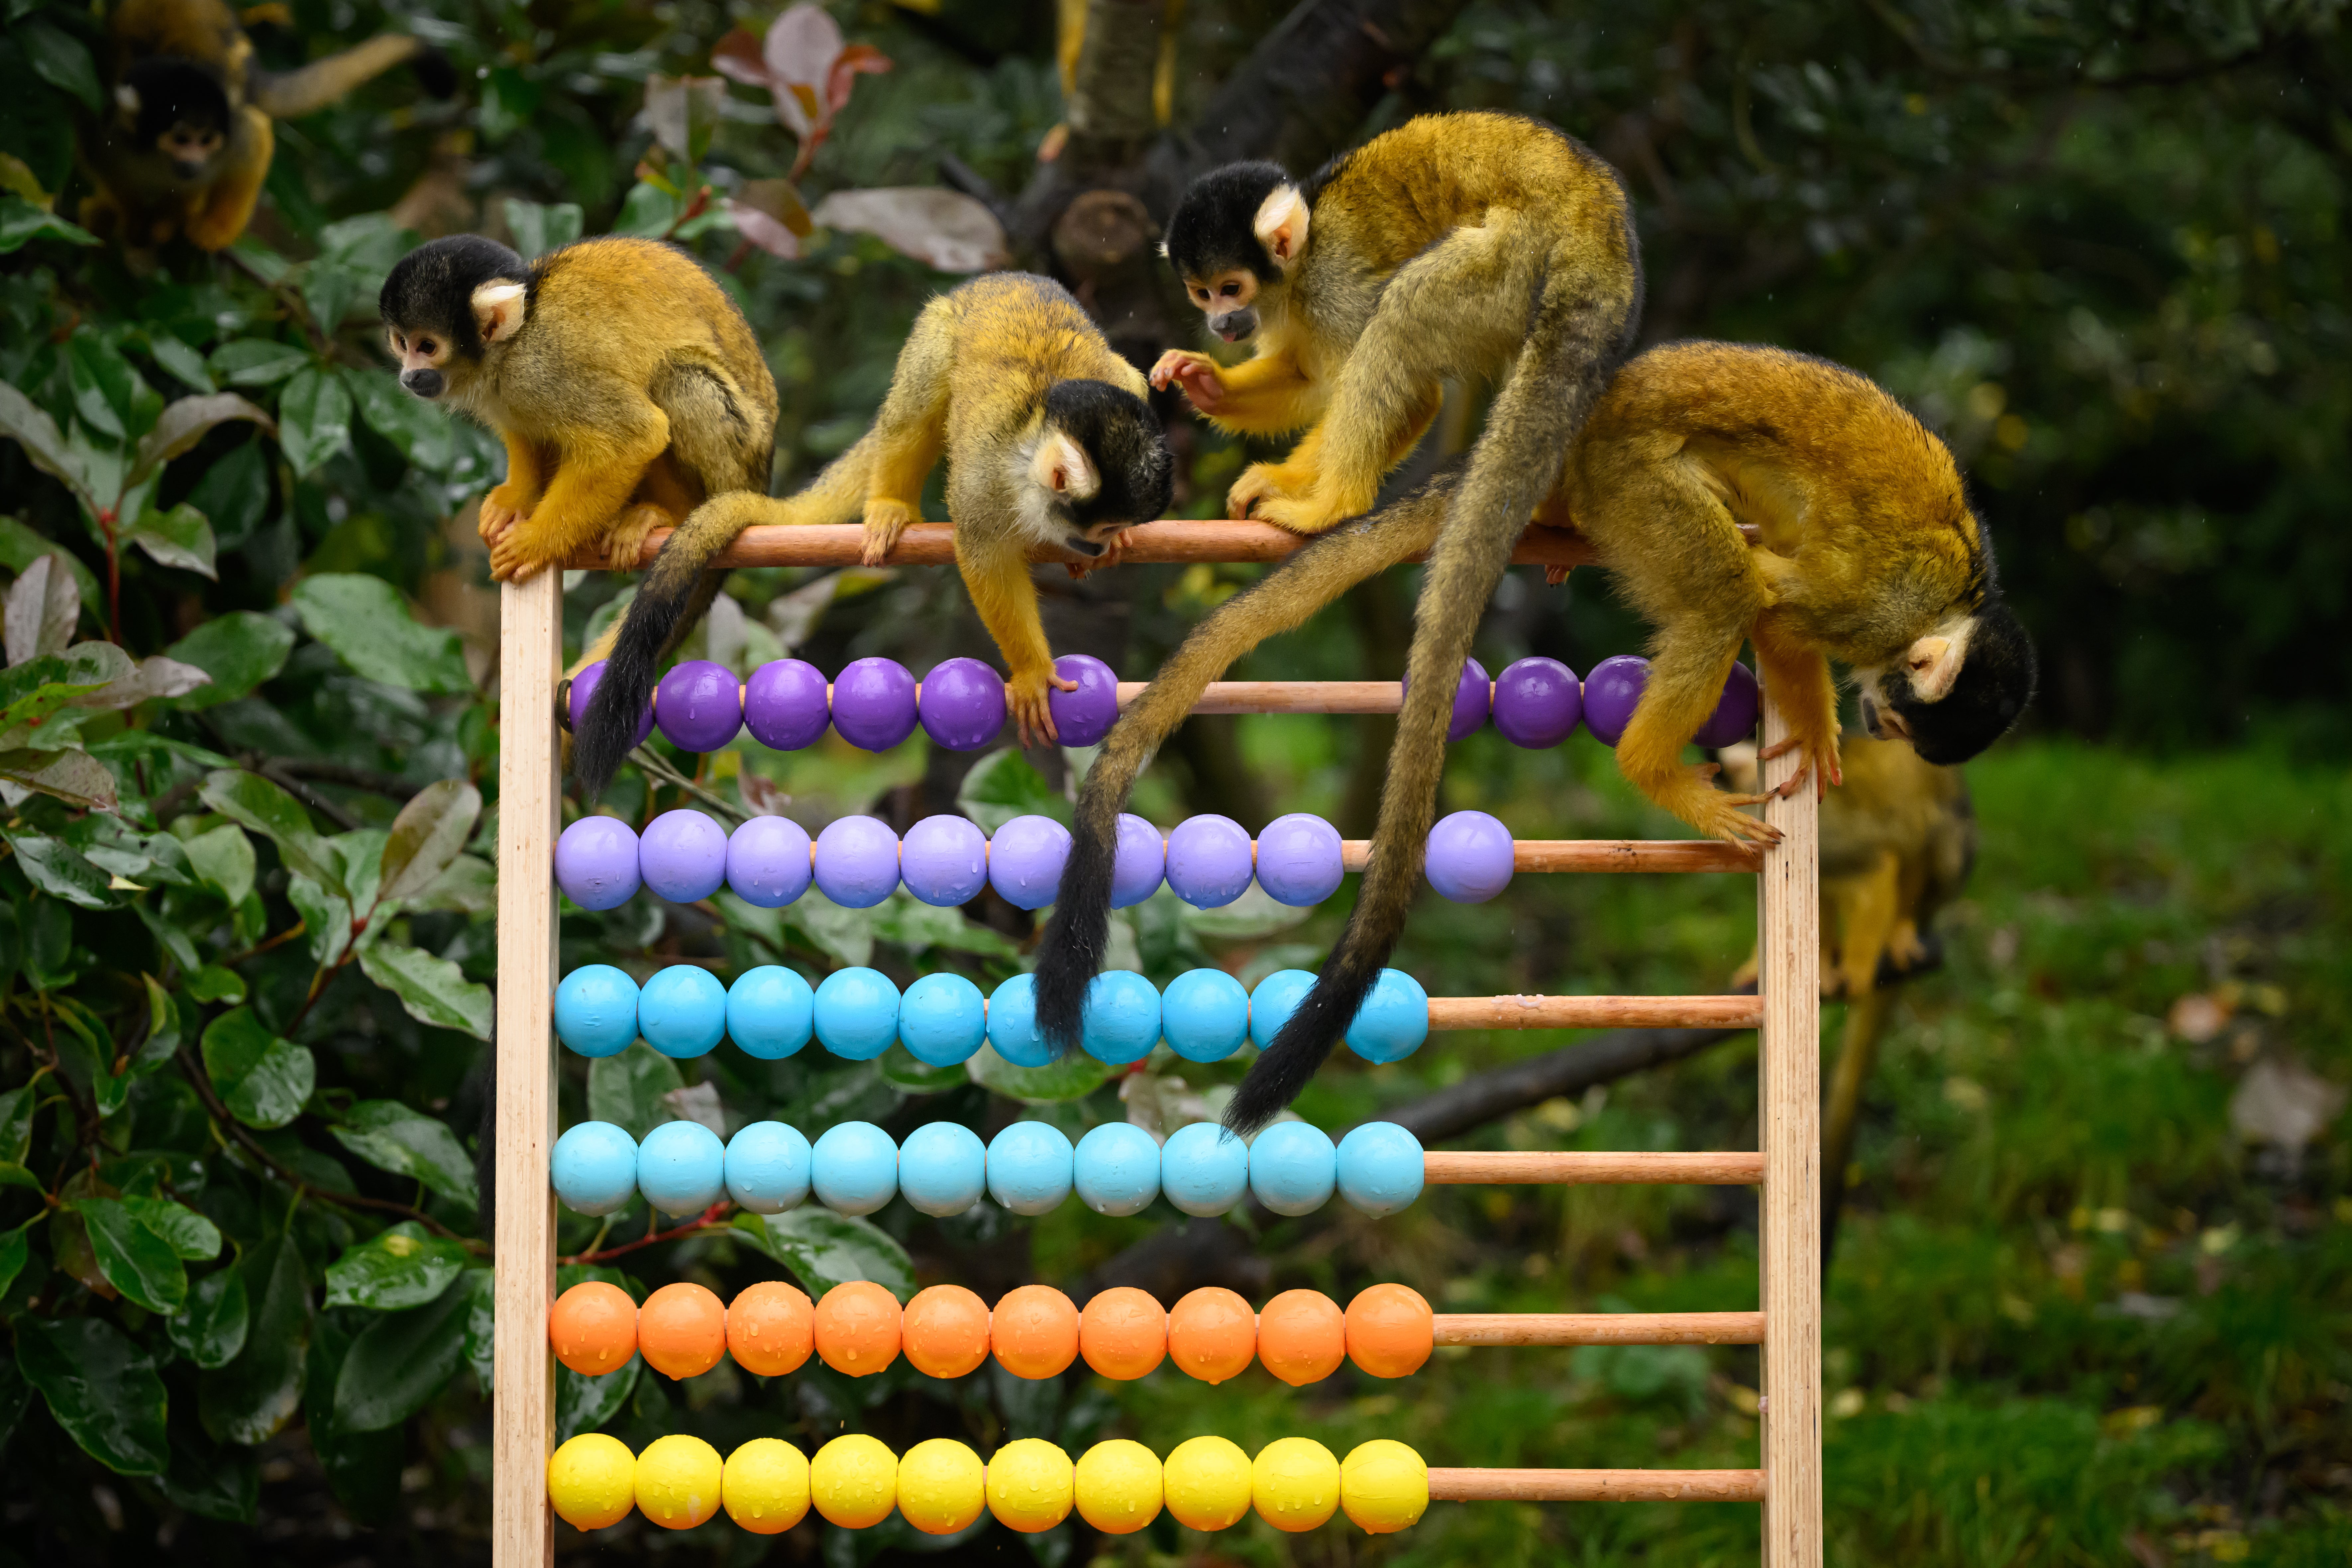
185,140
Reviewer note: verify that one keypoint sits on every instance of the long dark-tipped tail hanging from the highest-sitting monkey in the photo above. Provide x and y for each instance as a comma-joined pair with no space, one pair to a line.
1577,335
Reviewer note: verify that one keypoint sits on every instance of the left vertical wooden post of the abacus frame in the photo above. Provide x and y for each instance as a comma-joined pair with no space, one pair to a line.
523,1379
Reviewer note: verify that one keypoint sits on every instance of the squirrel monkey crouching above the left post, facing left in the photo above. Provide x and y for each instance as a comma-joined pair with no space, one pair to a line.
622,380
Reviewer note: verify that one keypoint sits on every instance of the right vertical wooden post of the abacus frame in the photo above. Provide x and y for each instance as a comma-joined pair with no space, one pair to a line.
1789,1125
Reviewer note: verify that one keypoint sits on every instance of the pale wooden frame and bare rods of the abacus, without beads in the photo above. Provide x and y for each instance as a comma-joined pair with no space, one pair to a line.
1789,1057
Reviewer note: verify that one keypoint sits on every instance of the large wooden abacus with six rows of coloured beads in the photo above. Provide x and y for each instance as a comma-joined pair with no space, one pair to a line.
1029,1485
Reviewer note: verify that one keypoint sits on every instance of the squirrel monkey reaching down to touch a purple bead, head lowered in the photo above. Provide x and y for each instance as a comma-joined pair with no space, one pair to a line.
1048,438
